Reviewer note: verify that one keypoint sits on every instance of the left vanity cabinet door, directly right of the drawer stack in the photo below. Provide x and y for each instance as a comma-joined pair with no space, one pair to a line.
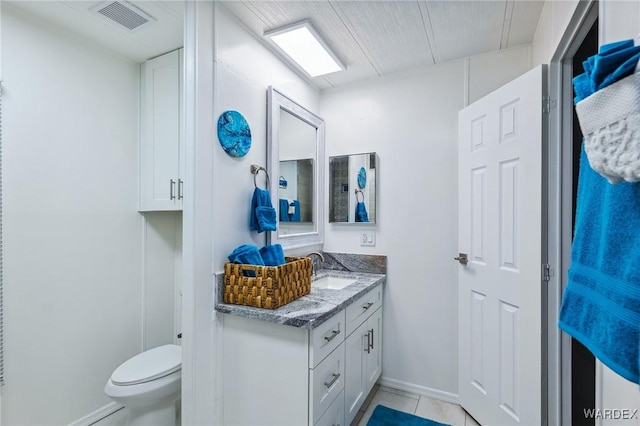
355,383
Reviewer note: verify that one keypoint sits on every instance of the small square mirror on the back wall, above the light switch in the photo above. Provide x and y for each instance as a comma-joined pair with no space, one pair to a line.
352,188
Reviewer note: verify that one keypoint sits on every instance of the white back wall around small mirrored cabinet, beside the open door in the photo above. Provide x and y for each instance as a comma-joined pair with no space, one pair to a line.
410,120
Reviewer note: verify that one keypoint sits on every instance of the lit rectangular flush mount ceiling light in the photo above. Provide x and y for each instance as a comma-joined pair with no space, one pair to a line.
303,45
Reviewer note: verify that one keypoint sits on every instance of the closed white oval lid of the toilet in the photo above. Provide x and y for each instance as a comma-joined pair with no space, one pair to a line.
149,365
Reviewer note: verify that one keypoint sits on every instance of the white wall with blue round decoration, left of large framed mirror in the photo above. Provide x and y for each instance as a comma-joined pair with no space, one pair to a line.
242,86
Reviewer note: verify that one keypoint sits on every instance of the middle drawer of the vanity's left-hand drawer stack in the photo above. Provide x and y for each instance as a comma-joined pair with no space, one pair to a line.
326,382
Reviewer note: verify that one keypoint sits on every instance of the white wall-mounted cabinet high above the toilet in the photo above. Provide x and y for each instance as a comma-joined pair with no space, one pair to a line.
161,134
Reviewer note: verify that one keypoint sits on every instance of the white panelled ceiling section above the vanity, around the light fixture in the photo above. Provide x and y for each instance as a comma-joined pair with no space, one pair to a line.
376,38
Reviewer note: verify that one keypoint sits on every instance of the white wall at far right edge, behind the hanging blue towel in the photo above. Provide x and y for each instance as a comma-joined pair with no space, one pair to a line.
618,20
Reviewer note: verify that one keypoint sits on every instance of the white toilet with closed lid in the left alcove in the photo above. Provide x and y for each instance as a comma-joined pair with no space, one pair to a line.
148,385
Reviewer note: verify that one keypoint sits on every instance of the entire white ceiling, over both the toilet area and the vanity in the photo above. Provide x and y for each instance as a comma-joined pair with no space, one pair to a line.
373,38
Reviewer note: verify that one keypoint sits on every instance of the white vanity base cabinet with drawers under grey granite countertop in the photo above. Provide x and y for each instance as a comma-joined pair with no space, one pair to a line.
281,375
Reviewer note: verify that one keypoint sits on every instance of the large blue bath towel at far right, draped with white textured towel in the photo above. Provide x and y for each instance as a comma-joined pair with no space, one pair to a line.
601,304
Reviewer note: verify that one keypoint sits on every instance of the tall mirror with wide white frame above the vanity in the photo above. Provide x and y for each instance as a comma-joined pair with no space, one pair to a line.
295,153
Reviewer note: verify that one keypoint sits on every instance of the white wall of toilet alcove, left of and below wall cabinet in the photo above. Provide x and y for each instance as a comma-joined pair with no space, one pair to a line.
80,290
